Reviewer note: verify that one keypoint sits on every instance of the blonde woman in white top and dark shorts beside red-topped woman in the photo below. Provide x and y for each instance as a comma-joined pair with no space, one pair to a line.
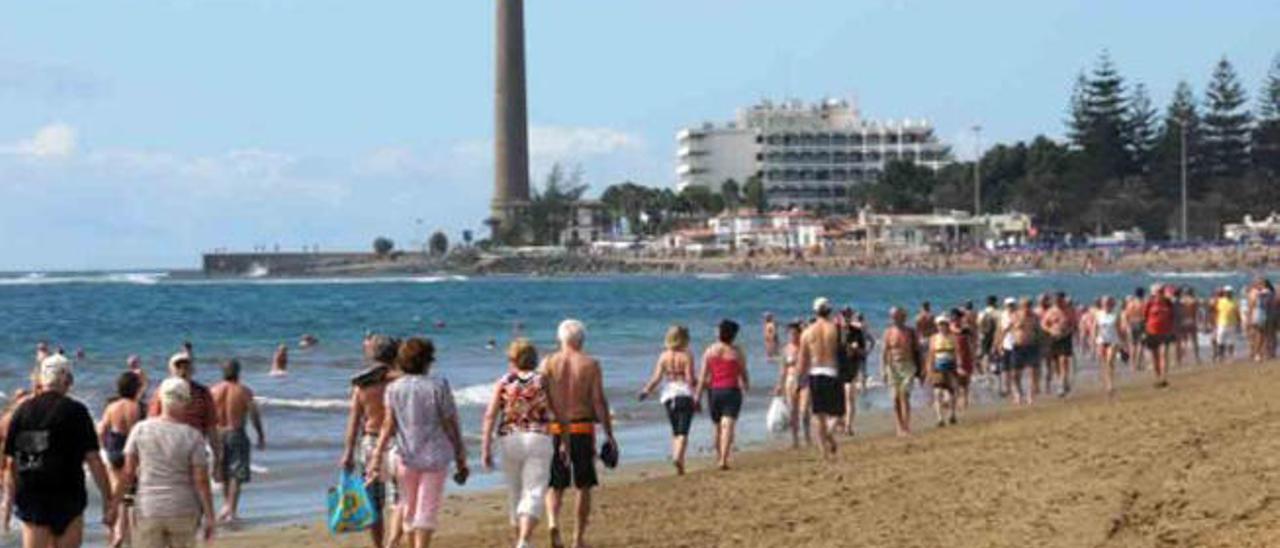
676,367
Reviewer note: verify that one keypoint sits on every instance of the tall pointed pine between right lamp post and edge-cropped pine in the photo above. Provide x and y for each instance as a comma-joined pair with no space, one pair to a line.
1227,124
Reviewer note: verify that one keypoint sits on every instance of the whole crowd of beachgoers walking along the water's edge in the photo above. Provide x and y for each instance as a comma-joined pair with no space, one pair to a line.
156,451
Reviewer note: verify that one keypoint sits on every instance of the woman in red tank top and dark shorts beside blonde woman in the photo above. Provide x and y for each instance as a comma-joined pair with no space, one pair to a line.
725,381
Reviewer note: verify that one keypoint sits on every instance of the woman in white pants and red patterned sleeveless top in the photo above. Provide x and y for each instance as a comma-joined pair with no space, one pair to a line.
522,414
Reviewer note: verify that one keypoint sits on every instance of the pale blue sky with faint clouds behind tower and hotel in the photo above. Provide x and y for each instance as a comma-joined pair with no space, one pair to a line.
140,134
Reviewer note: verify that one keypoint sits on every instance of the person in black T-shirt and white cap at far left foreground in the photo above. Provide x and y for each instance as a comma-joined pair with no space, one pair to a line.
51,441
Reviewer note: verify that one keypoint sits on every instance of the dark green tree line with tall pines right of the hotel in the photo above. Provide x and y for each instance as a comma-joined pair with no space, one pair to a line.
1121,166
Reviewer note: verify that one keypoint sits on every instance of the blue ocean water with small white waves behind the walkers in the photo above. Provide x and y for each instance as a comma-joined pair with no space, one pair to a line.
150,314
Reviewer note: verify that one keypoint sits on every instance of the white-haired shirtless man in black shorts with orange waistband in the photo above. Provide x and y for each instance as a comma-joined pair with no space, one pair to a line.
577,382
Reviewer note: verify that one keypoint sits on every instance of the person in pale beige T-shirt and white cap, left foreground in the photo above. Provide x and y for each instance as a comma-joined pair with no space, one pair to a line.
168,462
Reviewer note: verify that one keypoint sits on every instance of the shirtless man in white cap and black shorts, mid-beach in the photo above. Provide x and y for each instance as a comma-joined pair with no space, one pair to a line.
817,362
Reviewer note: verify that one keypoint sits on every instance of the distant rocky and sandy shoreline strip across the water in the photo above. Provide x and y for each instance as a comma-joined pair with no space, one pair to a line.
473,263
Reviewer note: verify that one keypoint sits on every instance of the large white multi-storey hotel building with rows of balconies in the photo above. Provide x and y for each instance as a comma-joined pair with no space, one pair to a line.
806,154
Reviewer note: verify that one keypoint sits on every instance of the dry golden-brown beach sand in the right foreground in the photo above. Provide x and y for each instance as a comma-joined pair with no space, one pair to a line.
1197,464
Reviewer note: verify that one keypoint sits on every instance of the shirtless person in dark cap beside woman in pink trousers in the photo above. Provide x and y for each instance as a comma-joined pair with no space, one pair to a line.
364,424
